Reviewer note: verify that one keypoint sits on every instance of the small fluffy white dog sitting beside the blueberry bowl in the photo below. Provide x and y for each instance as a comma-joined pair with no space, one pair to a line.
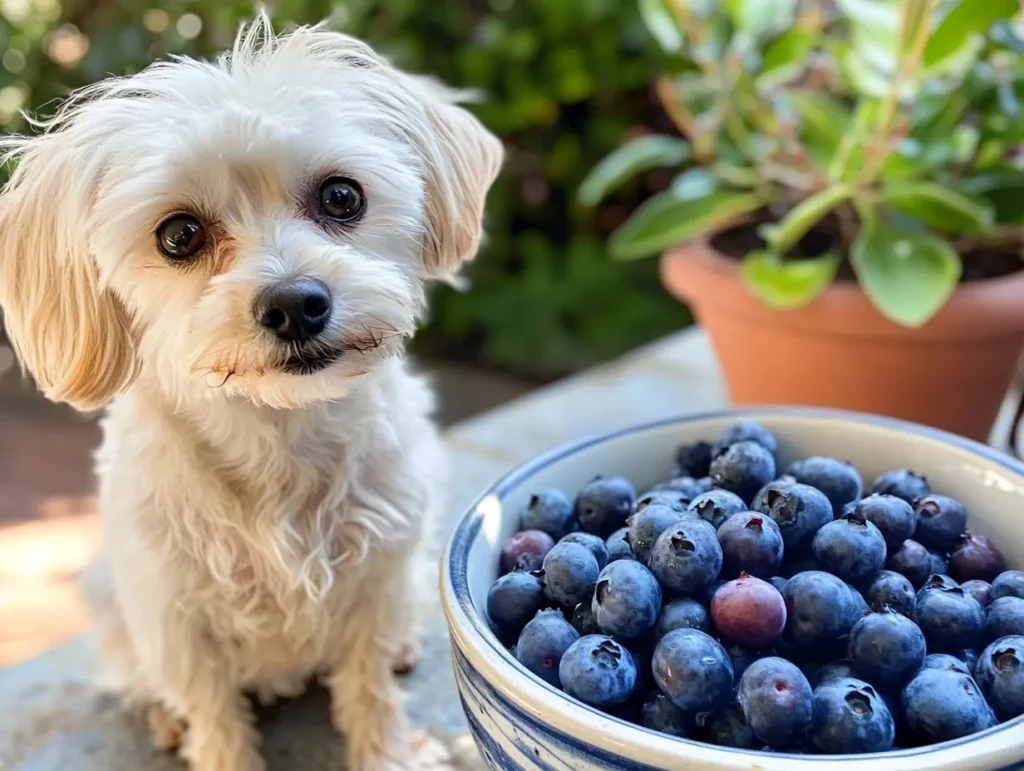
232,254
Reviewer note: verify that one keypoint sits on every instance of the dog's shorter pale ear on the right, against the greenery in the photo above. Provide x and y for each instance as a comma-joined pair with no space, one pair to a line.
461,161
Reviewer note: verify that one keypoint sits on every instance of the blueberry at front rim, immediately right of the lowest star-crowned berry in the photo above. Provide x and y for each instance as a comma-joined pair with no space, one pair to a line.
940,706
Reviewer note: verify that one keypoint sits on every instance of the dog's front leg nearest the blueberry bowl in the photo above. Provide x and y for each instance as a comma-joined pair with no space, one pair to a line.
366,701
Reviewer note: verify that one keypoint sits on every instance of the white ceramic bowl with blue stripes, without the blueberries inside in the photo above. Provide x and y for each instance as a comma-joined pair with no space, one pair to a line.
521,722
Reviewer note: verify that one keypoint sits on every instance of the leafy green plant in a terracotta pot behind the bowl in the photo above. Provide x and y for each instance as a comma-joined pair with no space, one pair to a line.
847,221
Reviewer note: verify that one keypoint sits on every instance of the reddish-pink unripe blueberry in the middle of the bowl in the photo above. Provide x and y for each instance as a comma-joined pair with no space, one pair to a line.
749,612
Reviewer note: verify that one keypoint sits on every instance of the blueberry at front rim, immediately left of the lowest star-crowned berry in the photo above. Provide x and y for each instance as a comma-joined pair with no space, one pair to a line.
778,701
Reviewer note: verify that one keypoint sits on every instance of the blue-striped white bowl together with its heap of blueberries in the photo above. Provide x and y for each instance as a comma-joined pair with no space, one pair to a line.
758,589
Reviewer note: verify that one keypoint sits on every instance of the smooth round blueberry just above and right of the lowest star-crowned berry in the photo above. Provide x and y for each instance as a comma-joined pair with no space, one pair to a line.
886,649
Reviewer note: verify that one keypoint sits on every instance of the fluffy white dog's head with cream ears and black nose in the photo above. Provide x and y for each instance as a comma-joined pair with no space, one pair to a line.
257,228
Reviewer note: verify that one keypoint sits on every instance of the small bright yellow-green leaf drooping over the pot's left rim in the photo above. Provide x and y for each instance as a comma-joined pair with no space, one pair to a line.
789,284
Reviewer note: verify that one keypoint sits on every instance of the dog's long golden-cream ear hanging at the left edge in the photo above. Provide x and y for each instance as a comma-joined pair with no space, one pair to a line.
69,330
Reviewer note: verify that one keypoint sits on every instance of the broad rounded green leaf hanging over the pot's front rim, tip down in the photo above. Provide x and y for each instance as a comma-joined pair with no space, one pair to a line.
907,276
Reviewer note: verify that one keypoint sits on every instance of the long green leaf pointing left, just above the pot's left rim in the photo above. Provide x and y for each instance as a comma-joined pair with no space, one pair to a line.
666,221
